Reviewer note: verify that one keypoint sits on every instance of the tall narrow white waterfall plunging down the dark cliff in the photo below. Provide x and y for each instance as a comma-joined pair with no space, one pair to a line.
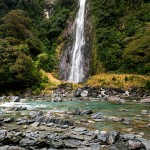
77,73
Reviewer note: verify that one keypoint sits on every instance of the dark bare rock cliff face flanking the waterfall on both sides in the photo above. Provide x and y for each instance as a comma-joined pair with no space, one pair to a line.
67,50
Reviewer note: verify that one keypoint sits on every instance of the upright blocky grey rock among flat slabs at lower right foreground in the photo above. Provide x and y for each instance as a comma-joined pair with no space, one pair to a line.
113,136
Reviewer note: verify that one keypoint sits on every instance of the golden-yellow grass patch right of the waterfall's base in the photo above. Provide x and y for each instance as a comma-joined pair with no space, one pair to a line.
124,81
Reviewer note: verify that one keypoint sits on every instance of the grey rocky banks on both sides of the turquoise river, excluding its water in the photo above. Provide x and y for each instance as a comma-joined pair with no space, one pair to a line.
22,129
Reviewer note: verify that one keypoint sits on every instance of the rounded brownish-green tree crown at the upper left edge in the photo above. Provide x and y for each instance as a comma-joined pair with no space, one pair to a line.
15,24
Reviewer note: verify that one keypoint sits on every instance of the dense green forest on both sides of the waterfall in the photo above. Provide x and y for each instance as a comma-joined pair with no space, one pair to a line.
28,40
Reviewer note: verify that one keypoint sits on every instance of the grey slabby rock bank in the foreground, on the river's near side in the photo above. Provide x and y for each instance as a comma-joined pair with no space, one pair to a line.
45,132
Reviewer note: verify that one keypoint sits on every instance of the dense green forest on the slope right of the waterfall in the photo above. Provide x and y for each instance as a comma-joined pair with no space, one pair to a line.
121,36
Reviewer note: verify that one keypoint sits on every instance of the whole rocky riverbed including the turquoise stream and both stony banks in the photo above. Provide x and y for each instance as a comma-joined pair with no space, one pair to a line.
85,119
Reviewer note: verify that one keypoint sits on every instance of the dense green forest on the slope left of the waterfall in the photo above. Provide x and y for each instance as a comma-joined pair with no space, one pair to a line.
28,40
